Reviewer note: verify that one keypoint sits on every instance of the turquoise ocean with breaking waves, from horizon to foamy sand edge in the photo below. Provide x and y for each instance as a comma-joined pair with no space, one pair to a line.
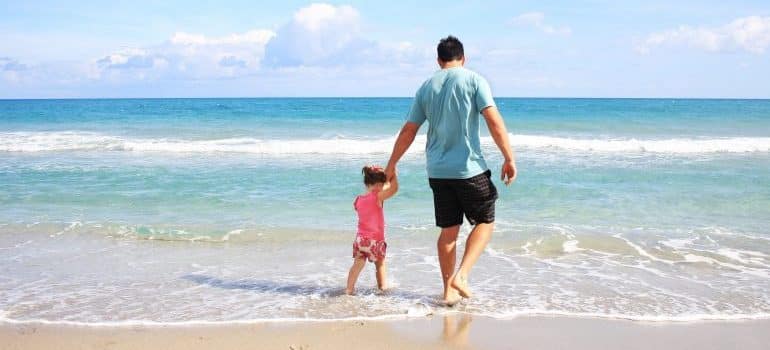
166,211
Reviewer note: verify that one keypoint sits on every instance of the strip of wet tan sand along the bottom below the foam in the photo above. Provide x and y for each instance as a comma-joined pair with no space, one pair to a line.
461,331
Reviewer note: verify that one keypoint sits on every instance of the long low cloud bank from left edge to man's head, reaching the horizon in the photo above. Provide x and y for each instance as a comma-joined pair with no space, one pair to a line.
318,43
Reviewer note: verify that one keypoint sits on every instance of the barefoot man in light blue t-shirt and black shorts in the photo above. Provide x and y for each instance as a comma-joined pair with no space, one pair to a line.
451,101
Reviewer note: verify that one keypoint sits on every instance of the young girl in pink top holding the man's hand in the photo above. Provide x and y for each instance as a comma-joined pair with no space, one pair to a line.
370,239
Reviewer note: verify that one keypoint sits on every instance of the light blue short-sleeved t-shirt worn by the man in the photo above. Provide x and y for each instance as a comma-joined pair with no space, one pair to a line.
451,101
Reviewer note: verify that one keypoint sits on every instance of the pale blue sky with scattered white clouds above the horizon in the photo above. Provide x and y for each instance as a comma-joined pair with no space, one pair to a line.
98,49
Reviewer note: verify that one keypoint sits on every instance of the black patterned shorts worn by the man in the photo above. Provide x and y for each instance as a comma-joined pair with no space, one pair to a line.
474,197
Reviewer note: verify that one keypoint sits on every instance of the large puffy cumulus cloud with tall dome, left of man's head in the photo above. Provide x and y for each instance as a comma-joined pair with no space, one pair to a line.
316,36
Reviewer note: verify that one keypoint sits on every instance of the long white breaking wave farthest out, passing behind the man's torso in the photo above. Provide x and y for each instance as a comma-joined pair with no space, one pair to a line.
90,141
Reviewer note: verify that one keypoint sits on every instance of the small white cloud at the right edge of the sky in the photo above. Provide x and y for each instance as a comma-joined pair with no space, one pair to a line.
751,34
